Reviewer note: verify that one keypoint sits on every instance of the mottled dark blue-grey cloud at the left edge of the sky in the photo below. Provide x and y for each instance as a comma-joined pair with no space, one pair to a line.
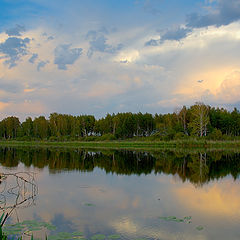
13,49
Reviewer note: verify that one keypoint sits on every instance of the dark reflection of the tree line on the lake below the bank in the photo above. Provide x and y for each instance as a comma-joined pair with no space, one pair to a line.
198,168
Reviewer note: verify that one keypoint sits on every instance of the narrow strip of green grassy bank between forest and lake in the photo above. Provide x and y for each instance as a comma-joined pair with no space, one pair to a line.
129,144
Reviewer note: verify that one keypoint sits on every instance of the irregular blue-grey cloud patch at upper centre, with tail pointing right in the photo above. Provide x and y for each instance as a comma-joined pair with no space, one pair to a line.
98,42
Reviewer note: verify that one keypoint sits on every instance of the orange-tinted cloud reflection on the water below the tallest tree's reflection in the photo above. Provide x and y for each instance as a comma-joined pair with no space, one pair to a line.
220,198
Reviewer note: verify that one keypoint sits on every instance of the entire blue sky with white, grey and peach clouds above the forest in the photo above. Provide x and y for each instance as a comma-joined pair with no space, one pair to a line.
97,57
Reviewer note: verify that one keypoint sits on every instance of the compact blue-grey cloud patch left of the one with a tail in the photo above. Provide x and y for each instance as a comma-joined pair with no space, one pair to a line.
64,55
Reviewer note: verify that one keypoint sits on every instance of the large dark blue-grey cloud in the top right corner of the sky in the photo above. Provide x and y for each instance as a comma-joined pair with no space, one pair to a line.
224,13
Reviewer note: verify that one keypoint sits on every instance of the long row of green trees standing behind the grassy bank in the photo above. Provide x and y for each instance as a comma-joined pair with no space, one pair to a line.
198,121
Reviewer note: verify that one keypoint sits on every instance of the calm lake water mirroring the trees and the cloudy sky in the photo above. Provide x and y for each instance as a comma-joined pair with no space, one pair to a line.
123,194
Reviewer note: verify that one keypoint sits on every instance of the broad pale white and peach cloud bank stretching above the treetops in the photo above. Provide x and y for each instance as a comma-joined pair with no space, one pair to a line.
135,78
